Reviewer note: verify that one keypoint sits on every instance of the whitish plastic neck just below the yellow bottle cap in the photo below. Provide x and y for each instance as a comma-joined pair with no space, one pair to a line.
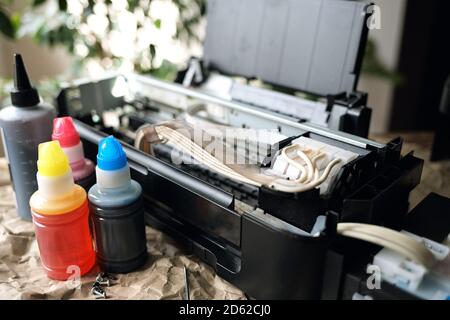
55,187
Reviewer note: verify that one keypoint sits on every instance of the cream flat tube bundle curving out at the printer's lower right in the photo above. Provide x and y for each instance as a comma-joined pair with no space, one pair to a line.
388,238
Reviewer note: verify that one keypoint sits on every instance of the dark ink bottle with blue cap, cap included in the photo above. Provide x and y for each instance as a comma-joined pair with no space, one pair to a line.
117,211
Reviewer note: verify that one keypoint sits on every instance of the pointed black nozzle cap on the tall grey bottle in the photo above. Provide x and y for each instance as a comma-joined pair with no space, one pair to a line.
23,94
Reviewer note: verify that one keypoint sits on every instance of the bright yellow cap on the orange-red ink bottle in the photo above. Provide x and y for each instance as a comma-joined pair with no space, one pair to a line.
52,161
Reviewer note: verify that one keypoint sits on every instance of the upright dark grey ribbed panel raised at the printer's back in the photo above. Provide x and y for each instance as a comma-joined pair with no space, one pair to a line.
314,46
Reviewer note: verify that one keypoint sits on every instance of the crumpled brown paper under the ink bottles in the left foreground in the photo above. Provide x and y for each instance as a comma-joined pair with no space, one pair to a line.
162,277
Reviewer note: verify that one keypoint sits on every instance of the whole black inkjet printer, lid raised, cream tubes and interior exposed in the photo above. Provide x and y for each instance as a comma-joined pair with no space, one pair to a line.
272,181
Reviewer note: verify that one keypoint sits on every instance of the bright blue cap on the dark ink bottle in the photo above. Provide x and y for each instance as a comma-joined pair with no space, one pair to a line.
110,154
